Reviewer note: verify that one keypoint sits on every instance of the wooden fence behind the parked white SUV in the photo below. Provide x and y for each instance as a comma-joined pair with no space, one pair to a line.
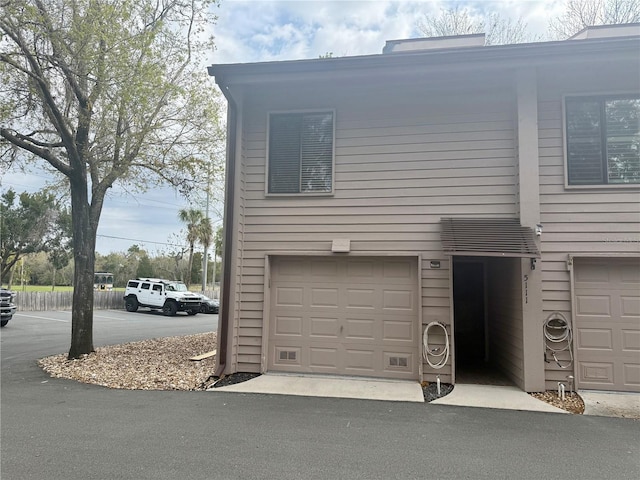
41,301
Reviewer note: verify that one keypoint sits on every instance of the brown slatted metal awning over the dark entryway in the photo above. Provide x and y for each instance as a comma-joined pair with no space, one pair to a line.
488,237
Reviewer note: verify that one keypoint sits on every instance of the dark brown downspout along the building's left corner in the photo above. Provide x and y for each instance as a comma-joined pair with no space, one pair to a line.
230,169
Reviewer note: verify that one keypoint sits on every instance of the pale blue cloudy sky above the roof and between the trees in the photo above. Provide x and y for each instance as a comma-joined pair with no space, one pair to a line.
261,30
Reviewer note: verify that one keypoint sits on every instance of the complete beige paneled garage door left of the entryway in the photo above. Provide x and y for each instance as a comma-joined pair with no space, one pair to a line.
346,316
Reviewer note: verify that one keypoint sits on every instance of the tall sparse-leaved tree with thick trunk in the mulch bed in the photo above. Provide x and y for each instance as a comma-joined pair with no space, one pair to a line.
107,92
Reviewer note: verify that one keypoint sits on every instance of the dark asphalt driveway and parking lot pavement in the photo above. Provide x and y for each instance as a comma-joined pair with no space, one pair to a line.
58,429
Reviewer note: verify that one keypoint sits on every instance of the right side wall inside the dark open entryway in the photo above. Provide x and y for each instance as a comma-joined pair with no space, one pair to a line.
505,318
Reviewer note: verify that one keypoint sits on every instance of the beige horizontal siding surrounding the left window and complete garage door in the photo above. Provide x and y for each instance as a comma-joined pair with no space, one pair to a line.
427,156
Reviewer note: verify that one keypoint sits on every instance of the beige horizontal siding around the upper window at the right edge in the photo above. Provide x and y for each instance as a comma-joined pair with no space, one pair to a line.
578,220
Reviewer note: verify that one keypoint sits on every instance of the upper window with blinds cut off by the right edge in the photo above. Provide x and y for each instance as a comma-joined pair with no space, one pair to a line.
603,140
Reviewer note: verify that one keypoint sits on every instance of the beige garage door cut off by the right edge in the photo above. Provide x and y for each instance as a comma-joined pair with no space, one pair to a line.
608,325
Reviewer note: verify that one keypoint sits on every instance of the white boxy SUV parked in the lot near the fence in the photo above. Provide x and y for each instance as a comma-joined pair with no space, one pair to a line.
155,293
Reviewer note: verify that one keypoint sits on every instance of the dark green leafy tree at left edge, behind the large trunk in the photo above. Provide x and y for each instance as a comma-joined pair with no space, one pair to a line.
27,224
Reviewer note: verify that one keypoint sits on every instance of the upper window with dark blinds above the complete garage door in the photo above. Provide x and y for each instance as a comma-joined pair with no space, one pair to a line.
300,158
